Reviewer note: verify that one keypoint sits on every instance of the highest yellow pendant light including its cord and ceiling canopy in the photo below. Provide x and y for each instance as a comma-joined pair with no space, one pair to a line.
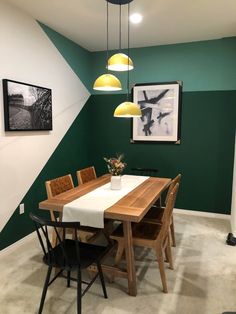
120,61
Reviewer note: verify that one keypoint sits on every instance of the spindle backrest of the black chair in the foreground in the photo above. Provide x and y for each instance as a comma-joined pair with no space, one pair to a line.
60,255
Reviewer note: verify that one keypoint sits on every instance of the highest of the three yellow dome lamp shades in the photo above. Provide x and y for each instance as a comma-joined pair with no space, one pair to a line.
120,62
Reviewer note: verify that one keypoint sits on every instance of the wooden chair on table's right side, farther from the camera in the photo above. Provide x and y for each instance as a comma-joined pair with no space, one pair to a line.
156,213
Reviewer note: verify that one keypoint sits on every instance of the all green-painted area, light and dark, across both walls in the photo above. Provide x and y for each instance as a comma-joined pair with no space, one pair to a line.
205,155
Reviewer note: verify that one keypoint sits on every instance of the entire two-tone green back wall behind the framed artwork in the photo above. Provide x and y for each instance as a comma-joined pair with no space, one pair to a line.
205,155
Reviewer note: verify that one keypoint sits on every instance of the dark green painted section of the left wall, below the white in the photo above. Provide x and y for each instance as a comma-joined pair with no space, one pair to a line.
70,155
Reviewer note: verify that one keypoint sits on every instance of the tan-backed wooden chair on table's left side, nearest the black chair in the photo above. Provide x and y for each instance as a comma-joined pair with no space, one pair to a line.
58,186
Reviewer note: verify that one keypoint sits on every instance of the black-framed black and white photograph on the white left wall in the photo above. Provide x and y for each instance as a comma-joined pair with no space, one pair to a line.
26,107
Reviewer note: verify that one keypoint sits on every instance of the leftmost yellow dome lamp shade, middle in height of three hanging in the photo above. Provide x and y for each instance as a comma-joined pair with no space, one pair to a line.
107,82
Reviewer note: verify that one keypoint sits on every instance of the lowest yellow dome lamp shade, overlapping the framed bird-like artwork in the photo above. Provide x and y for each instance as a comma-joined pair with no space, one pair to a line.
127,110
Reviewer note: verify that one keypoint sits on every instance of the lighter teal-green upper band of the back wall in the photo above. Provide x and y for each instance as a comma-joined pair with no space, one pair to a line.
202,66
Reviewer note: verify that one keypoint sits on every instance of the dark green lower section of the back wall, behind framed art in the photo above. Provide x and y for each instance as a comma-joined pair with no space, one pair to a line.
204,157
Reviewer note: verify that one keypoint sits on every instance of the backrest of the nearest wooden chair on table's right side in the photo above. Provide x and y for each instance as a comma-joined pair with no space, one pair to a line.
166,219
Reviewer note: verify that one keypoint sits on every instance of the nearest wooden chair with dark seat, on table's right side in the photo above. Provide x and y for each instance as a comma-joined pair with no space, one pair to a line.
151,235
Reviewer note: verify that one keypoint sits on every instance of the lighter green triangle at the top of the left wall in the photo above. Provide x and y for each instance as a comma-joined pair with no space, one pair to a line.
78,58
